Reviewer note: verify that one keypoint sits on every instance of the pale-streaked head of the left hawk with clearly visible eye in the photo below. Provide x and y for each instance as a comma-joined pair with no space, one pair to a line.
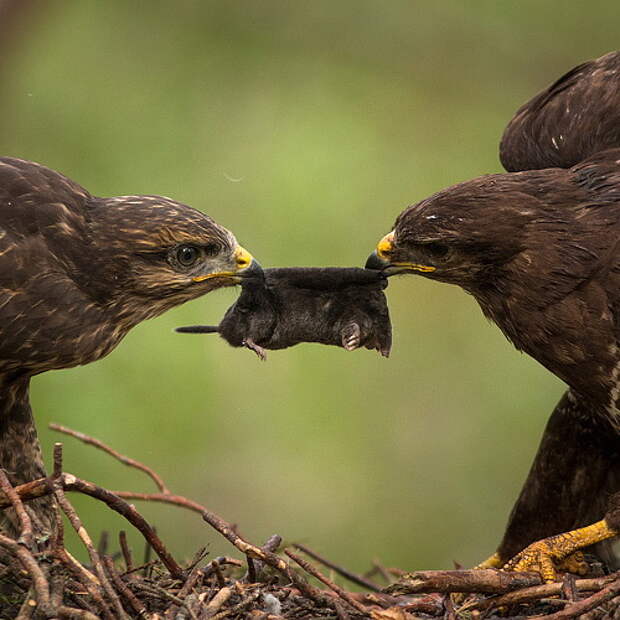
153,251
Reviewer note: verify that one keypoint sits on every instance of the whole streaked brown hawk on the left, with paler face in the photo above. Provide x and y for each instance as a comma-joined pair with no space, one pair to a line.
77,272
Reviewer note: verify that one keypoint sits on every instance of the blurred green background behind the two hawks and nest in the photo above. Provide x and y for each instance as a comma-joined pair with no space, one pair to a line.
305,128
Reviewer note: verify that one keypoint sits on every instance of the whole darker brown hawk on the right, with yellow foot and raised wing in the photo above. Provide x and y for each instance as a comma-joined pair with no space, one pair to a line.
539,249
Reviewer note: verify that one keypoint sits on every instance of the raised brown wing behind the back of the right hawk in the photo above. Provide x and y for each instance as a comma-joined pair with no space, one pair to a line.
577,116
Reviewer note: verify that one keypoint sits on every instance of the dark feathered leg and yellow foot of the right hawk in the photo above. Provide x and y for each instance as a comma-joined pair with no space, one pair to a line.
576,470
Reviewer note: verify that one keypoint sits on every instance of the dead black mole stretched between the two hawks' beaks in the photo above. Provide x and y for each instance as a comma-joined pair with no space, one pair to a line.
345,307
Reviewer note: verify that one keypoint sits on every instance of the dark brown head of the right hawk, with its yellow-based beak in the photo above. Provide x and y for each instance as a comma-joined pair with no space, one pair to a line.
464,234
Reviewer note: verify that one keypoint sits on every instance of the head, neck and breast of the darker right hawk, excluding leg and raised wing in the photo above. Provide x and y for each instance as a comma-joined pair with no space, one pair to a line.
537,249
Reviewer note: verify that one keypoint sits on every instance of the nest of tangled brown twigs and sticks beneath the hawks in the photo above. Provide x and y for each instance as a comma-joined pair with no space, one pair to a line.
265,585
